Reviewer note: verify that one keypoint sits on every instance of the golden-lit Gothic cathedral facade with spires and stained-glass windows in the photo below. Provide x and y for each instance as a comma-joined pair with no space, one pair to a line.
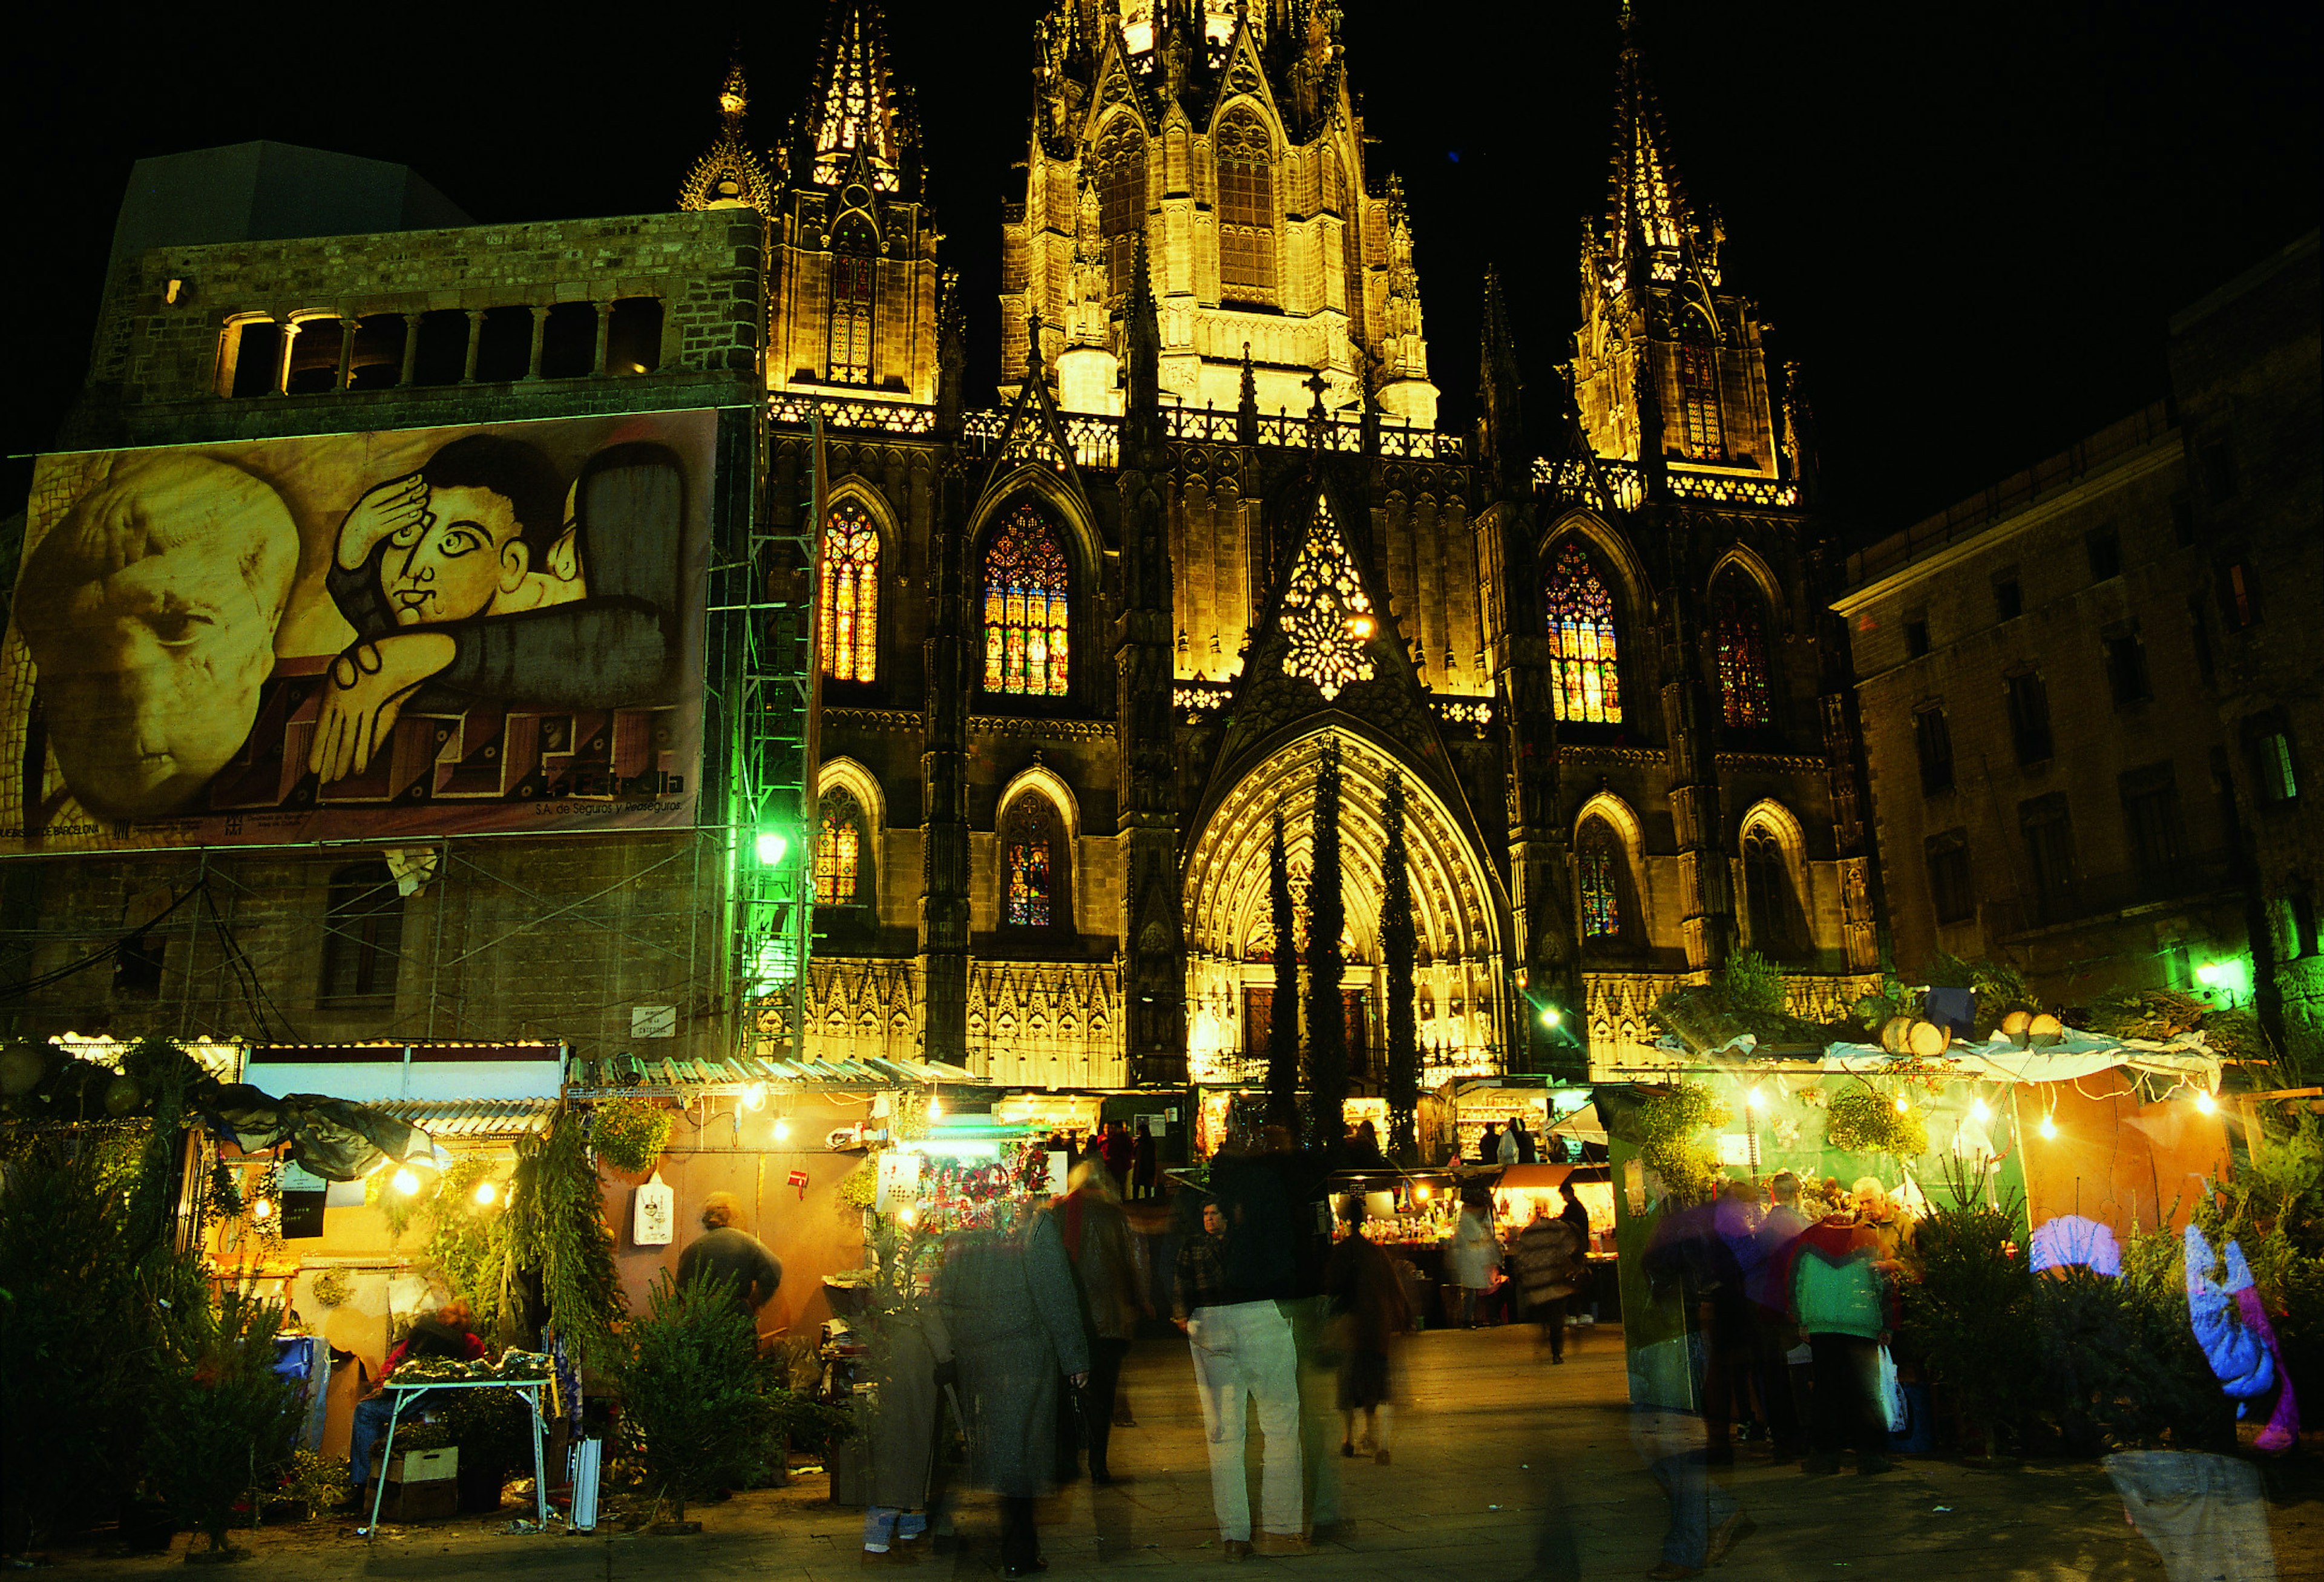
1084,638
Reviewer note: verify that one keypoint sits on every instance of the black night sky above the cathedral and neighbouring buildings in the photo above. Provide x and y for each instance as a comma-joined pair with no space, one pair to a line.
1970,222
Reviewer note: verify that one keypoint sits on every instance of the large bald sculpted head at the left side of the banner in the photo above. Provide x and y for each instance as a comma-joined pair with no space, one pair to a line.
150,614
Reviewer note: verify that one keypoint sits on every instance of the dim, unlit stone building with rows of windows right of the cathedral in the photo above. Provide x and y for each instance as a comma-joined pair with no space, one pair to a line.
2083,700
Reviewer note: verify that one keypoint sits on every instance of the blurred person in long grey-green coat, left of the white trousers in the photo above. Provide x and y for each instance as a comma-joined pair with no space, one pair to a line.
1014,1318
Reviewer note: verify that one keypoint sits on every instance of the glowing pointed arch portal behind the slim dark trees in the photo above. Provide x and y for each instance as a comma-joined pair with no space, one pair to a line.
1456,909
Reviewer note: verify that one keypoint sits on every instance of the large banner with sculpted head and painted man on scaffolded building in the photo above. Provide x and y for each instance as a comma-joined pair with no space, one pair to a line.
487,628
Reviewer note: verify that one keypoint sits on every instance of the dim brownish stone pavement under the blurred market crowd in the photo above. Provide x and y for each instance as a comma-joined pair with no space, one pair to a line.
1498,1458
